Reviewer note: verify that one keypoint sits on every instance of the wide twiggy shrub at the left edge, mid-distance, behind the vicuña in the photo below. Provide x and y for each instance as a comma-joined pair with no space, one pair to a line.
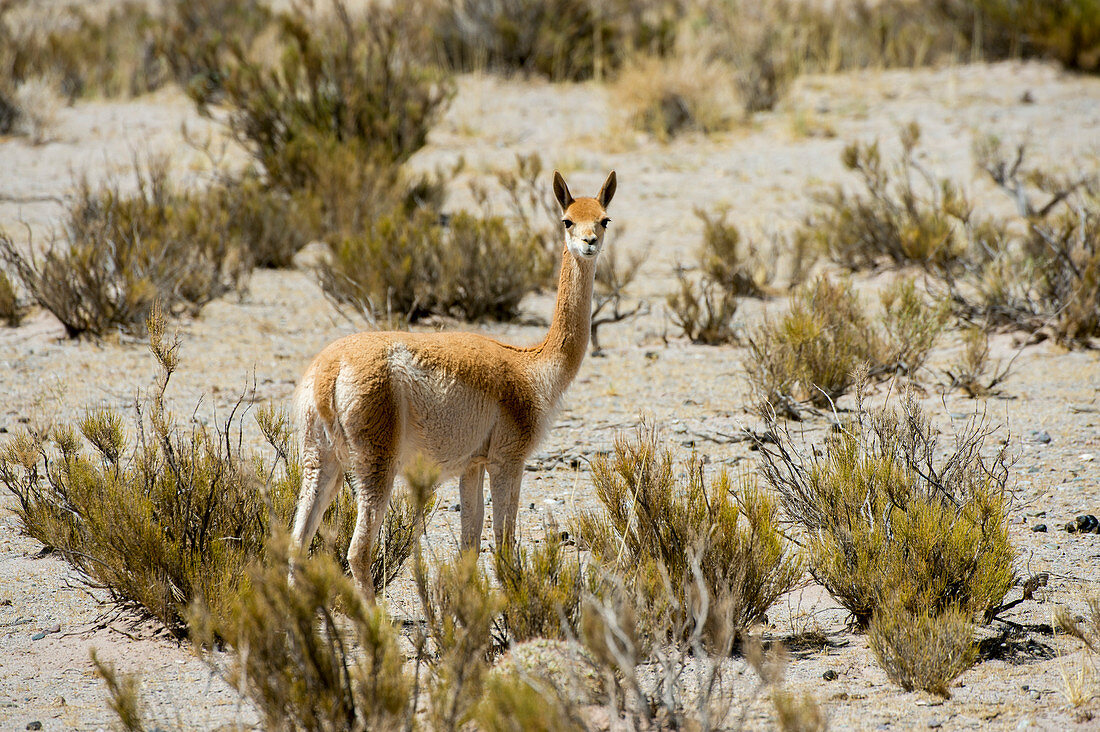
123,254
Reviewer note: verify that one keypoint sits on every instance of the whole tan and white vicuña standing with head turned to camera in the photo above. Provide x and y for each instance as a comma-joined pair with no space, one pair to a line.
370,402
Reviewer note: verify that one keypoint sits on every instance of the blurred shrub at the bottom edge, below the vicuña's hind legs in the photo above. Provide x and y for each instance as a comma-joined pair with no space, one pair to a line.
304,667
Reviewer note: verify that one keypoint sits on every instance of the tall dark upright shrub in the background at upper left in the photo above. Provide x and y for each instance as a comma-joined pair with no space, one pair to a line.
344,85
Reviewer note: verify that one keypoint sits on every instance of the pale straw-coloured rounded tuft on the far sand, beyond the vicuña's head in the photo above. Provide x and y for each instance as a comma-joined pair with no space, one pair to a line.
667,96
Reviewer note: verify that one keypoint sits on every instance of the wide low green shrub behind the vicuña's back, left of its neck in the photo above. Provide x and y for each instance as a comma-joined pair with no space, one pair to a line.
412,268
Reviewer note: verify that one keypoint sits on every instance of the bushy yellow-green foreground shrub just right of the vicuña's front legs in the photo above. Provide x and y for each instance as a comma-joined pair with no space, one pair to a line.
678,541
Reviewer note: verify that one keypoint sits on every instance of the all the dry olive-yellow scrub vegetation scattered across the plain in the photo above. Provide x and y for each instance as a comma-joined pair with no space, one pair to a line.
646,609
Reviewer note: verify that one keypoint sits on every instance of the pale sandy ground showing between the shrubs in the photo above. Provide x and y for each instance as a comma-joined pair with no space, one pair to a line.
765,173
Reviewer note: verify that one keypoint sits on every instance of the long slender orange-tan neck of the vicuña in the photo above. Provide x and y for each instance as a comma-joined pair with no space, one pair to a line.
568,340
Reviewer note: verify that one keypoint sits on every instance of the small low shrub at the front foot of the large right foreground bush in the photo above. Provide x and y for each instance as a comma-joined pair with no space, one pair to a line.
923,650
